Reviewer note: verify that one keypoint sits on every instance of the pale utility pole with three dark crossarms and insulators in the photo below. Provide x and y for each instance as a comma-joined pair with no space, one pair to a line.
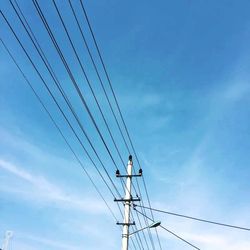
127,202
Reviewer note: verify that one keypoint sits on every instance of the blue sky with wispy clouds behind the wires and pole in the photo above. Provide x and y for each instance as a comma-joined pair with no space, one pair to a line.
180,70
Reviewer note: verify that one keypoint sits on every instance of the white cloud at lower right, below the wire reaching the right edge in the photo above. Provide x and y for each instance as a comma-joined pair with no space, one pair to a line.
203,236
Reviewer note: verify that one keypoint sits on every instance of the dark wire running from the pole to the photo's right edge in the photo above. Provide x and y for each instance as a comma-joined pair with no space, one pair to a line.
197,219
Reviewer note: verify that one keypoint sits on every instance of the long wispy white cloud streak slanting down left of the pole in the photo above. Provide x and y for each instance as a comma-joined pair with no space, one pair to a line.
40,189
